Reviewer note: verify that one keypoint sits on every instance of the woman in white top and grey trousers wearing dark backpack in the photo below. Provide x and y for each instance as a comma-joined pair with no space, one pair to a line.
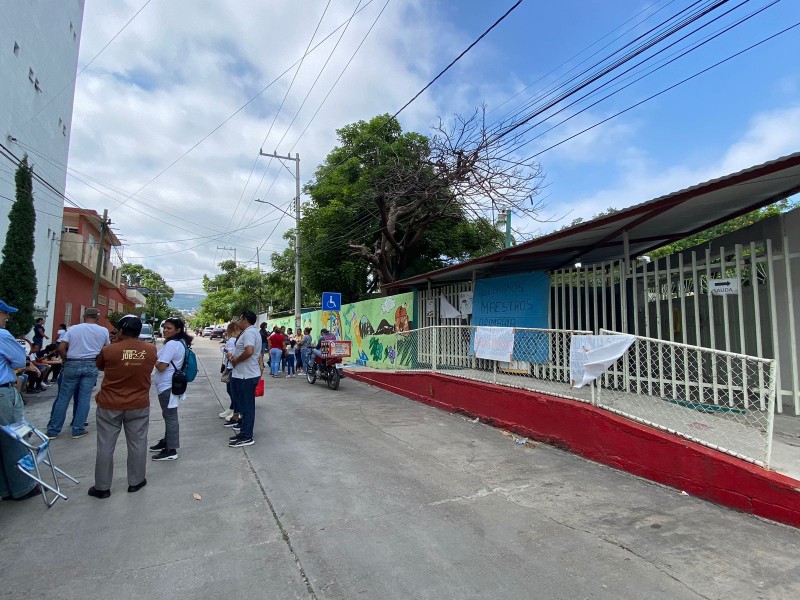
170,358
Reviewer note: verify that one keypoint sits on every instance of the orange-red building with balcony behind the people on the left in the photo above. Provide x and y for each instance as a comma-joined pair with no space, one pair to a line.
77,264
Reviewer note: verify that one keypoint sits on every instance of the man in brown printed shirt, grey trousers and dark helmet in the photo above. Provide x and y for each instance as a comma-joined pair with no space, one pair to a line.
123,400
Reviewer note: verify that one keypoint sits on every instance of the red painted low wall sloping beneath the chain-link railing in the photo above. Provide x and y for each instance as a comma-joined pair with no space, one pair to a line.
606,438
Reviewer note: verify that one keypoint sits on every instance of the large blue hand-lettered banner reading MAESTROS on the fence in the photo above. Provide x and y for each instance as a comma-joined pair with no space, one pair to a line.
516,301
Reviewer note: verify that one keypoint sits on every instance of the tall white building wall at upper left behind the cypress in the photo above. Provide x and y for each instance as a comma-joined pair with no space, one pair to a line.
39,42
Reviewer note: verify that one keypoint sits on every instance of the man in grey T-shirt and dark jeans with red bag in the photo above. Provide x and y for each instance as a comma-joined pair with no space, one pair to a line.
244,377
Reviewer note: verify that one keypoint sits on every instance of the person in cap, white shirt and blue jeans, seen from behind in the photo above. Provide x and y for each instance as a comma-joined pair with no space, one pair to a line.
79,347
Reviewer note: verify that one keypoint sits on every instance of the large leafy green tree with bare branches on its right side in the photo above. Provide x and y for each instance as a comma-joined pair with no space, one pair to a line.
387,204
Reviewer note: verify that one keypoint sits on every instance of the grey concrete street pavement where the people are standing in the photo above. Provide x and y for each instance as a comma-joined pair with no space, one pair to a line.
360,493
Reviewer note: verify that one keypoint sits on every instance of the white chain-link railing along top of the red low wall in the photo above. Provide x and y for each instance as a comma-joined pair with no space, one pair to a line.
719,399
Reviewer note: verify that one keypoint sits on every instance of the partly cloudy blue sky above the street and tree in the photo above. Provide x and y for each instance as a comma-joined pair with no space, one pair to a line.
169,118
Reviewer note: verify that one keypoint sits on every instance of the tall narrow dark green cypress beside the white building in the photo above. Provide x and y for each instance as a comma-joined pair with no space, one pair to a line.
17,273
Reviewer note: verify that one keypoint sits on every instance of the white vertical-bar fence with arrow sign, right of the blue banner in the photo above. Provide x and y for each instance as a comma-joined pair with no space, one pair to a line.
675,298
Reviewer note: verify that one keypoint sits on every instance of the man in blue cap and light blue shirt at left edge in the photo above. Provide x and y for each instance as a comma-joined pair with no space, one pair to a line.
13,484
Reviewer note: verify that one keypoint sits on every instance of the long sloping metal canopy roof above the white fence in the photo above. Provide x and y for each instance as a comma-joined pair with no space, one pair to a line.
649,225
